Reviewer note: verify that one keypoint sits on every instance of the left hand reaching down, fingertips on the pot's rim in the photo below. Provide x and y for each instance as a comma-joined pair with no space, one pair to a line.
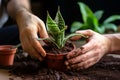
30,26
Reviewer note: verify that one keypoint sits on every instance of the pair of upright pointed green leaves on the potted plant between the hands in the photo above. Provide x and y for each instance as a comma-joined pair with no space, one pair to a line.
56,29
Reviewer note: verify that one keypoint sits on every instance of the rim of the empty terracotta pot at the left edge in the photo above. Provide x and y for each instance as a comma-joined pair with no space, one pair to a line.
7,48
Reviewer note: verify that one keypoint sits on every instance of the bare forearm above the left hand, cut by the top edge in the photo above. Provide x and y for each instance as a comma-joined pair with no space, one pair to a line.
17,6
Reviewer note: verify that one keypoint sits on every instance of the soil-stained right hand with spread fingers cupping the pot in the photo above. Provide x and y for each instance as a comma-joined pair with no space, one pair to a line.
90,53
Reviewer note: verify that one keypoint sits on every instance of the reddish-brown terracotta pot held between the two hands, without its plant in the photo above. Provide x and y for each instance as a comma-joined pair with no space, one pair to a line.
56,61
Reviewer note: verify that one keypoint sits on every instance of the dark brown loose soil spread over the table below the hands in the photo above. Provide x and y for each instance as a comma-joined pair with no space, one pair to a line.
108,68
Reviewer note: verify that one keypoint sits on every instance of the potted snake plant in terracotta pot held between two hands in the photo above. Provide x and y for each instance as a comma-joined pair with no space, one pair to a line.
57,42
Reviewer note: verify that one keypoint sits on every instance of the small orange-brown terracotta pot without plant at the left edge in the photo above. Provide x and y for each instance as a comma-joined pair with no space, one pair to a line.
7,55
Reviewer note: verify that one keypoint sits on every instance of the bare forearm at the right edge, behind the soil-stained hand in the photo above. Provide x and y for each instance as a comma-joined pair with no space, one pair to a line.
115,41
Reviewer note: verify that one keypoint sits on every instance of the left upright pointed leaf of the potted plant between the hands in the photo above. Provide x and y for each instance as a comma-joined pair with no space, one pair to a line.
53,31
